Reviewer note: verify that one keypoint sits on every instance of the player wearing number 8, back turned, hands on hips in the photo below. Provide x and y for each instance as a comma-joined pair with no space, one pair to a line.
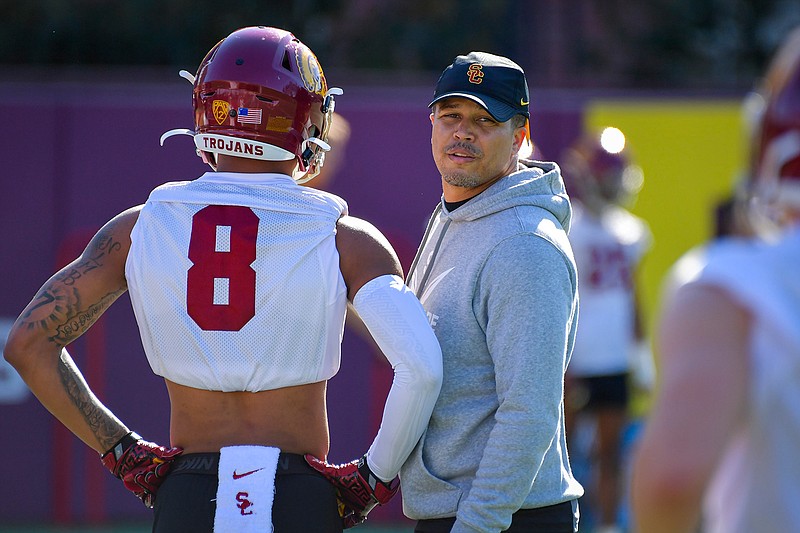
239,281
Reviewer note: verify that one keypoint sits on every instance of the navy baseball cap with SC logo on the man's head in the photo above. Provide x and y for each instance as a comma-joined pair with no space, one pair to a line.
495,82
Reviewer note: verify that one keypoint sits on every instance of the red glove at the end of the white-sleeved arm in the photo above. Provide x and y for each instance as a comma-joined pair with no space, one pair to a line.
357,488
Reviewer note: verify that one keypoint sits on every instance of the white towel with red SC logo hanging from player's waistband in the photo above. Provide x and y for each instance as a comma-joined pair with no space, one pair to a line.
246,489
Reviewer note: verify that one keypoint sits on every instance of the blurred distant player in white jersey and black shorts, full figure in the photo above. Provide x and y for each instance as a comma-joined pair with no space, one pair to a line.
609,243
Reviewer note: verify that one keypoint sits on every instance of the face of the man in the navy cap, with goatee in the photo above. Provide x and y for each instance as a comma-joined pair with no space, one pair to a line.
471,149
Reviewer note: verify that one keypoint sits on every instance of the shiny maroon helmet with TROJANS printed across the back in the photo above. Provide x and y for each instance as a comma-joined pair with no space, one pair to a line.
260,93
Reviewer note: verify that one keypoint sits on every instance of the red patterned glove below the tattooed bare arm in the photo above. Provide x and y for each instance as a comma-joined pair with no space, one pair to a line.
141,465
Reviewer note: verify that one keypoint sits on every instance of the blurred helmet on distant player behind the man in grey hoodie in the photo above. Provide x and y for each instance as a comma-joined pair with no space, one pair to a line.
598,171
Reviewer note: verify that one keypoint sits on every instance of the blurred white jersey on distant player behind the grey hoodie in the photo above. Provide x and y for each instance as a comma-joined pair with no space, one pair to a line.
608,249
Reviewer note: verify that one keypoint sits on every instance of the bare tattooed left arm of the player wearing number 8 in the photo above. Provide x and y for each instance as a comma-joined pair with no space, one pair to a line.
64,308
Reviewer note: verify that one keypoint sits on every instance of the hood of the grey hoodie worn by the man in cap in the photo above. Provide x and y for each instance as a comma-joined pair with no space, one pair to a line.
536,183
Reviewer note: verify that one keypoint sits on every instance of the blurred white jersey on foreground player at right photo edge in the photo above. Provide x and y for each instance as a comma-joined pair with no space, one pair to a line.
757,483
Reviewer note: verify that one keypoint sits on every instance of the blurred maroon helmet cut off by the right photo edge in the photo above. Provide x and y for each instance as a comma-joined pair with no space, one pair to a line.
775,162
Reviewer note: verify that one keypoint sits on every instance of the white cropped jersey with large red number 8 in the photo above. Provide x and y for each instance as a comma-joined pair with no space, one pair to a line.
235,282
